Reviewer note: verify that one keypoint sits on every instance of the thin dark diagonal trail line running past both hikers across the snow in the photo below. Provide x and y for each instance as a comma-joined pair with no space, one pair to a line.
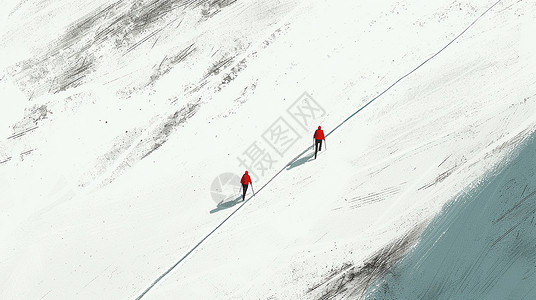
310,147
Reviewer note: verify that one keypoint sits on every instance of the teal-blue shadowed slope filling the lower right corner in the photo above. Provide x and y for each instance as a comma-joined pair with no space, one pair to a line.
481,246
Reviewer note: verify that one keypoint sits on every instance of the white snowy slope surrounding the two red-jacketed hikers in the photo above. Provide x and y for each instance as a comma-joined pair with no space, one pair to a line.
118,116
